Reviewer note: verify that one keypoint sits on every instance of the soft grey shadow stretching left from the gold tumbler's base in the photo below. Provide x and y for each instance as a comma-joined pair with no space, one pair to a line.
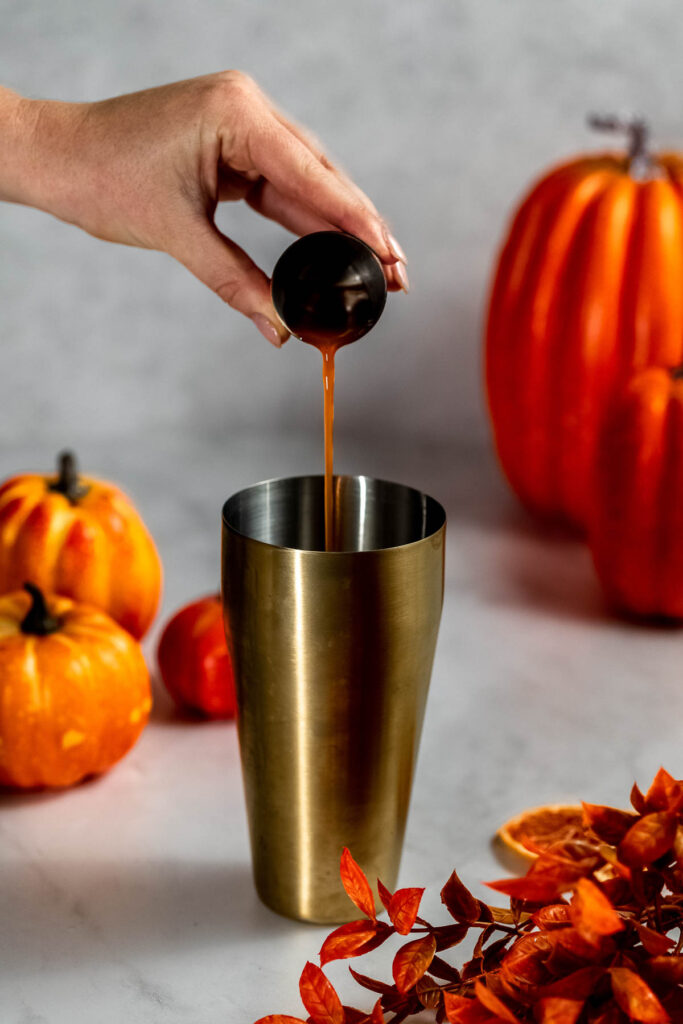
94,912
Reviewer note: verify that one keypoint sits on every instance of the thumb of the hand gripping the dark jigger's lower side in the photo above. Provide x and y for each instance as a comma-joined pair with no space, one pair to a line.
229,272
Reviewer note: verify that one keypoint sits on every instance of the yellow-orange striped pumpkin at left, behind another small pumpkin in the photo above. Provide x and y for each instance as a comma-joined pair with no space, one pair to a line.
81,538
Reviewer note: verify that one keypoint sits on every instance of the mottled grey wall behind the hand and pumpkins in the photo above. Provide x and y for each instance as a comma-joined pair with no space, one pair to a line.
443,110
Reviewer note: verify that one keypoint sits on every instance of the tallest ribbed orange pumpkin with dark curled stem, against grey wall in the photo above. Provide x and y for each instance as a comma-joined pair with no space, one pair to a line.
588,287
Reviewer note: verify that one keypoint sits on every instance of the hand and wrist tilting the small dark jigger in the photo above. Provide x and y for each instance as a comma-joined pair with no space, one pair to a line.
150,168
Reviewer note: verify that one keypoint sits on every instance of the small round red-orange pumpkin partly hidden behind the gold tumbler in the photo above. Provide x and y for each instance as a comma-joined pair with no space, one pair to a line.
194,661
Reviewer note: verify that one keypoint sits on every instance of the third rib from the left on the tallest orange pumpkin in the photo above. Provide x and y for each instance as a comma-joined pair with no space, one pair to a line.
583,345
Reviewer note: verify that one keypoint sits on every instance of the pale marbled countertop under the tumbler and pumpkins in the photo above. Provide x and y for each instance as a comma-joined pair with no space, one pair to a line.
129,900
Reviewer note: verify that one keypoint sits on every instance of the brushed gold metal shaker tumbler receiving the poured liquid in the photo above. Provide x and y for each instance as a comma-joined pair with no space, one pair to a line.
332,654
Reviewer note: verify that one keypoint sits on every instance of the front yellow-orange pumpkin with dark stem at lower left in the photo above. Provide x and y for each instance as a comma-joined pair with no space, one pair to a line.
74,691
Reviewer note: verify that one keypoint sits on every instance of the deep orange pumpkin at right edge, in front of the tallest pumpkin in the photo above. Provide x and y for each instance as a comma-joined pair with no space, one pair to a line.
636,535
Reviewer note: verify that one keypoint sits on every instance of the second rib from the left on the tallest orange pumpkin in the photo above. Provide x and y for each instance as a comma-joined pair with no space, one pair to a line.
533,371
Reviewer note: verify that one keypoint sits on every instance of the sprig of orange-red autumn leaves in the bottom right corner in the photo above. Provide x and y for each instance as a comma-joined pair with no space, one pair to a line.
593,934
